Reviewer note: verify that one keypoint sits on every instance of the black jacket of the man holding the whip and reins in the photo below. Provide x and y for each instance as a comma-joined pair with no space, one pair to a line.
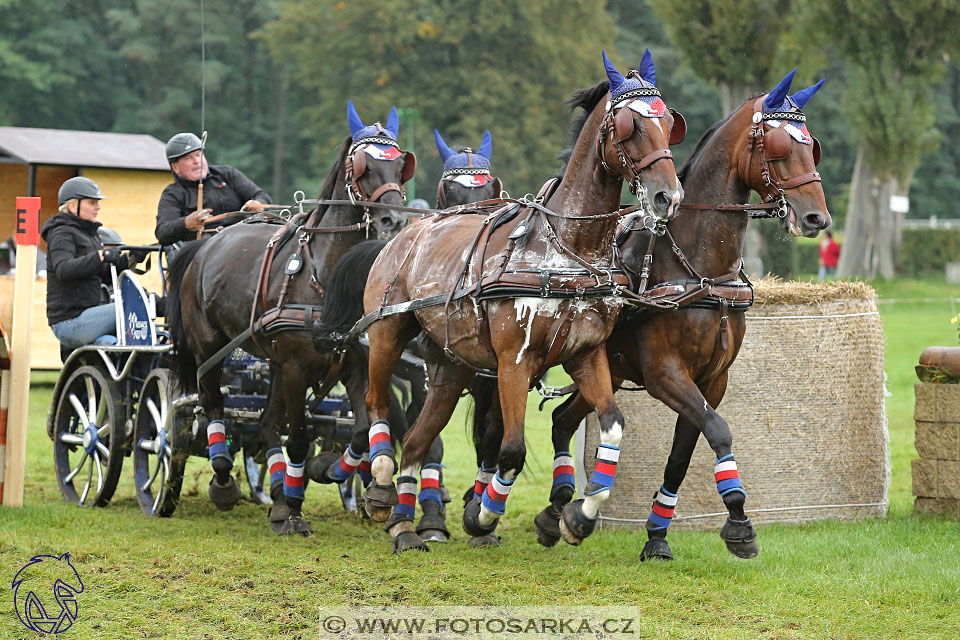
224,189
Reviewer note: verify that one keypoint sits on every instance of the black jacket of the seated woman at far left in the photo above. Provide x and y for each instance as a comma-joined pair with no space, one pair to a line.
74,269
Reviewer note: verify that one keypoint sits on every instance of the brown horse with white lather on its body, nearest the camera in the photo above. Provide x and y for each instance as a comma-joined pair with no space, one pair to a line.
563,243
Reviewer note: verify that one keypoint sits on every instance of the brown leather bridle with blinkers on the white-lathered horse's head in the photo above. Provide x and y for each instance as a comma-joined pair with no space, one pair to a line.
618,125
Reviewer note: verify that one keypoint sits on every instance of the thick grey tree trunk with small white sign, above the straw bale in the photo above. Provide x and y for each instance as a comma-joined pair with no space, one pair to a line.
870,234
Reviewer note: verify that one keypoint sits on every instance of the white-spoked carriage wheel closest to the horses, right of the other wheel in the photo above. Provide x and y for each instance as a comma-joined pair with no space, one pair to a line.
159,446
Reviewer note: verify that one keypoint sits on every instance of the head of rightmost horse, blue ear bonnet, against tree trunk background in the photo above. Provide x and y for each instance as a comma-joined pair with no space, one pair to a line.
783,159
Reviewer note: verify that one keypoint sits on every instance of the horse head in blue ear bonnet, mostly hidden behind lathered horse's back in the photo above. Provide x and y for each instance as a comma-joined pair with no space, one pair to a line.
466,174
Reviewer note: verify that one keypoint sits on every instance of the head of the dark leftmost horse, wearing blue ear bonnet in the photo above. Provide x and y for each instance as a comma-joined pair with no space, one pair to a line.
376,169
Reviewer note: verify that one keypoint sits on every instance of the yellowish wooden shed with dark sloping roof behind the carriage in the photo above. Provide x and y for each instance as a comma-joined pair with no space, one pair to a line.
131,170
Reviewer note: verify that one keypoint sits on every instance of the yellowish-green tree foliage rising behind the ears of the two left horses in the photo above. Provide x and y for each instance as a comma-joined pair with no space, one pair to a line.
507,67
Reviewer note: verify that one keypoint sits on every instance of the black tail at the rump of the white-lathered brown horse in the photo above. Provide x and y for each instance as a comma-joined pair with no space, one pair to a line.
343,303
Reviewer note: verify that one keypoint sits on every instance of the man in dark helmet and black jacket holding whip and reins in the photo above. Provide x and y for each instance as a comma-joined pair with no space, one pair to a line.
225,189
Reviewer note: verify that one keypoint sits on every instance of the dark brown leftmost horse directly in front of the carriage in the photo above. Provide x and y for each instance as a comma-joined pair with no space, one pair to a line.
219,286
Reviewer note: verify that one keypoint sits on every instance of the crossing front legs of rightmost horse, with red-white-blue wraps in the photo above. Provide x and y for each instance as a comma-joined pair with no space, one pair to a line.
697,415
